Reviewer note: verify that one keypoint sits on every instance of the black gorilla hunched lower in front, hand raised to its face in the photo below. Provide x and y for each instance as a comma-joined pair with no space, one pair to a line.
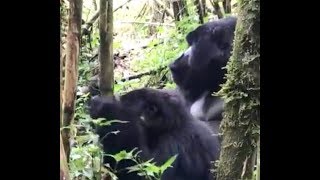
161,127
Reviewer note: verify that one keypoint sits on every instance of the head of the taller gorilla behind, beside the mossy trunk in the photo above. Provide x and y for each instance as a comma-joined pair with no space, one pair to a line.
199,68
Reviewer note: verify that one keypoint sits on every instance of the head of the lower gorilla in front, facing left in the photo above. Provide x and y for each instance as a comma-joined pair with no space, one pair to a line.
155,108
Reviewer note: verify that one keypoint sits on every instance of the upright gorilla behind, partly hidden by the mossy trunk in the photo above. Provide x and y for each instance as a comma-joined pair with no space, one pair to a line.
199,71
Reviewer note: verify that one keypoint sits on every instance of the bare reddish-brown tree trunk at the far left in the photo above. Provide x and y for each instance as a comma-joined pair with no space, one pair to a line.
71,69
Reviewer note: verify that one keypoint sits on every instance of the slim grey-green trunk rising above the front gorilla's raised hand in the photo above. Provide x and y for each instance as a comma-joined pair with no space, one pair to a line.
106,51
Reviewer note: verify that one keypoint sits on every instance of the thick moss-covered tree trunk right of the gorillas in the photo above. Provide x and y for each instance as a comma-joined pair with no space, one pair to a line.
241,124
